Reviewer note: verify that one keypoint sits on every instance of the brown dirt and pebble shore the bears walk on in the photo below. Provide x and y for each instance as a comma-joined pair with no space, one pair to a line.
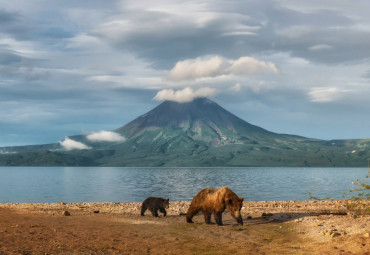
111,228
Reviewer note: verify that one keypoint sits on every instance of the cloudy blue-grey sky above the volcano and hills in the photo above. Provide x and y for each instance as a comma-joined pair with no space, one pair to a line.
70,67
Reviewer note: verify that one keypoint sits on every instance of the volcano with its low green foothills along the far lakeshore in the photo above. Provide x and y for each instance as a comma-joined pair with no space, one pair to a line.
197,133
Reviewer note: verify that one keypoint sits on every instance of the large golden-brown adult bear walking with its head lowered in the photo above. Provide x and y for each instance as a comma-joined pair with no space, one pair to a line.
215,201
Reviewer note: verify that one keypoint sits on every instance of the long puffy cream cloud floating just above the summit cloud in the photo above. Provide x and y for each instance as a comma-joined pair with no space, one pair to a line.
213,66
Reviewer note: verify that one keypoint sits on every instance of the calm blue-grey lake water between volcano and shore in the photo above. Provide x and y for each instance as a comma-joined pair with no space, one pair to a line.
129,184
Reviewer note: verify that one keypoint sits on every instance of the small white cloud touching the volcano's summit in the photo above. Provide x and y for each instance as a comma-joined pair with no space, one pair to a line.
184,95
